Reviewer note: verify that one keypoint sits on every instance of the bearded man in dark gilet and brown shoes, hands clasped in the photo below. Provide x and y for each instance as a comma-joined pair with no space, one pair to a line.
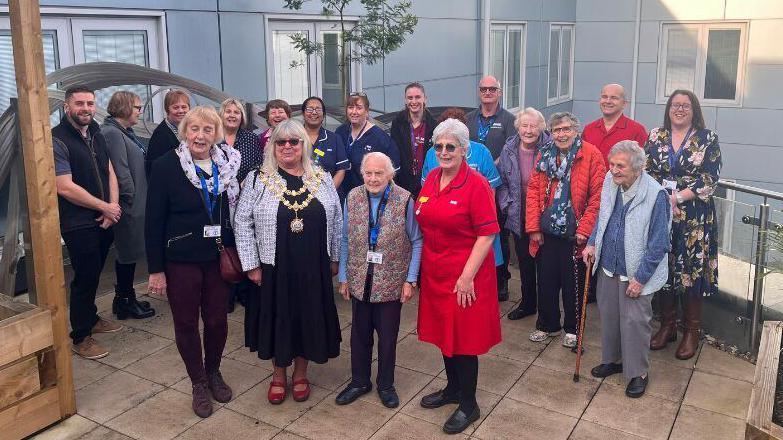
88,199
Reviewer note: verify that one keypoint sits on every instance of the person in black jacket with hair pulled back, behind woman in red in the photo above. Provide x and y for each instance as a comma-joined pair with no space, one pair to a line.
412,130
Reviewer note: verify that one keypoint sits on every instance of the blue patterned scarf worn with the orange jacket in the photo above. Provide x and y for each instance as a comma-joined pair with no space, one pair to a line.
557,217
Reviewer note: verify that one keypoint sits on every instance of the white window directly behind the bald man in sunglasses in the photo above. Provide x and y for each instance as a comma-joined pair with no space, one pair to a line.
506,61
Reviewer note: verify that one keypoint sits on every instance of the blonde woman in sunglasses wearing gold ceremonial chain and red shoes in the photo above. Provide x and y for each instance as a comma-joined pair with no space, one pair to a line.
288,227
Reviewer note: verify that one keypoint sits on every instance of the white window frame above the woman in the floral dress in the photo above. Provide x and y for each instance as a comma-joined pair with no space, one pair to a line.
700,67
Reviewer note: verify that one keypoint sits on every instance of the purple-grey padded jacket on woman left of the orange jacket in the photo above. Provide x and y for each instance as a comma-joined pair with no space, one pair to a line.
511,198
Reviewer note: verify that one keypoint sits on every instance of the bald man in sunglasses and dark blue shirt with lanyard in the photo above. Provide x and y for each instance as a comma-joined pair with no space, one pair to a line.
491,125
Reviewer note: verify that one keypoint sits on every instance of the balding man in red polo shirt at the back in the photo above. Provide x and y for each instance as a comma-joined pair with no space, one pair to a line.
613,126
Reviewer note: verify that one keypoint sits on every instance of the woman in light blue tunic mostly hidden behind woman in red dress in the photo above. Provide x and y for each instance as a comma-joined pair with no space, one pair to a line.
479,158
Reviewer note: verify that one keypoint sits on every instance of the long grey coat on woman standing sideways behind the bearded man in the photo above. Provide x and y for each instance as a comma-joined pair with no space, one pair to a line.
127,159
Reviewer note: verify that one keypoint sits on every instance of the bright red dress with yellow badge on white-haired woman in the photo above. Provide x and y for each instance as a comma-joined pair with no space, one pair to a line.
451,220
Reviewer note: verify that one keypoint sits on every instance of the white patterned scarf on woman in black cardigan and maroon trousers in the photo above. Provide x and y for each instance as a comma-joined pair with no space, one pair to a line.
227,160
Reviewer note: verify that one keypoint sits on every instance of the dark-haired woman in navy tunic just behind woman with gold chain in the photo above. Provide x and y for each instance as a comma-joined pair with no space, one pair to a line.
328,148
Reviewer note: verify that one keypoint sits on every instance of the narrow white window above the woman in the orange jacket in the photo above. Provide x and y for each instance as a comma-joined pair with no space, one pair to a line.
561,63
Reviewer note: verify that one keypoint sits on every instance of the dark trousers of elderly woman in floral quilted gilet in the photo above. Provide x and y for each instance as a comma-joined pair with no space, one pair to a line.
367,318
